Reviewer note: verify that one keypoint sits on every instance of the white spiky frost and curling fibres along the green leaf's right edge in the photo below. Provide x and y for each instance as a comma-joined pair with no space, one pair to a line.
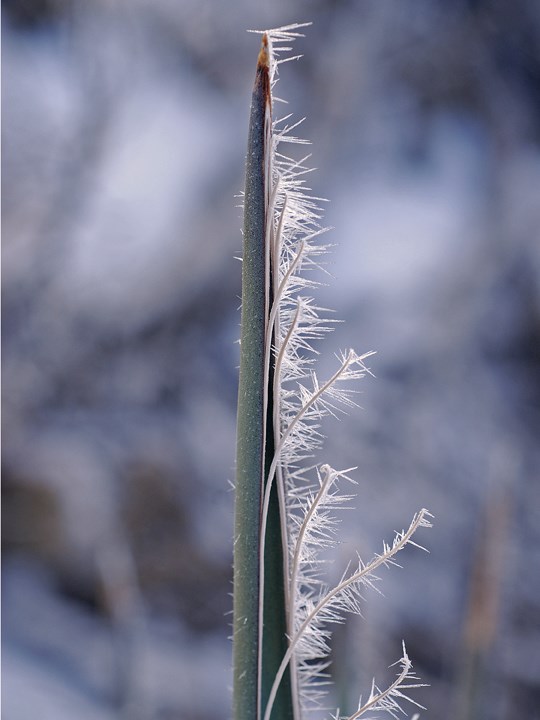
309,496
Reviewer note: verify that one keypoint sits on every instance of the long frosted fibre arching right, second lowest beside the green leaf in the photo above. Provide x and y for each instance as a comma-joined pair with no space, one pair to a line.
363,573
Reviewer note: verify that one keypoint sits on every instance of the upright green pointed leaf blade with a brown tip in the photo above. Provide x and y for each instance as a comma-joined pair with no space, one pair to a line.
257,650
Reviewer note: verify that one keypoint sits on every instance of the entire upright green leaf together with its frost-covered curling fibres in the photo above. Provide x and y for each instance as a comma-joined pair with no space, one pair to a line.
286,506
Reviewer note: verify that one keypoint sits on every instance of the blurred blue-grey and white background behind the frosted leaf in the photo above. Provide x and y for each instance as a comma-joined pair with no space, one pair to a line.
124,133
